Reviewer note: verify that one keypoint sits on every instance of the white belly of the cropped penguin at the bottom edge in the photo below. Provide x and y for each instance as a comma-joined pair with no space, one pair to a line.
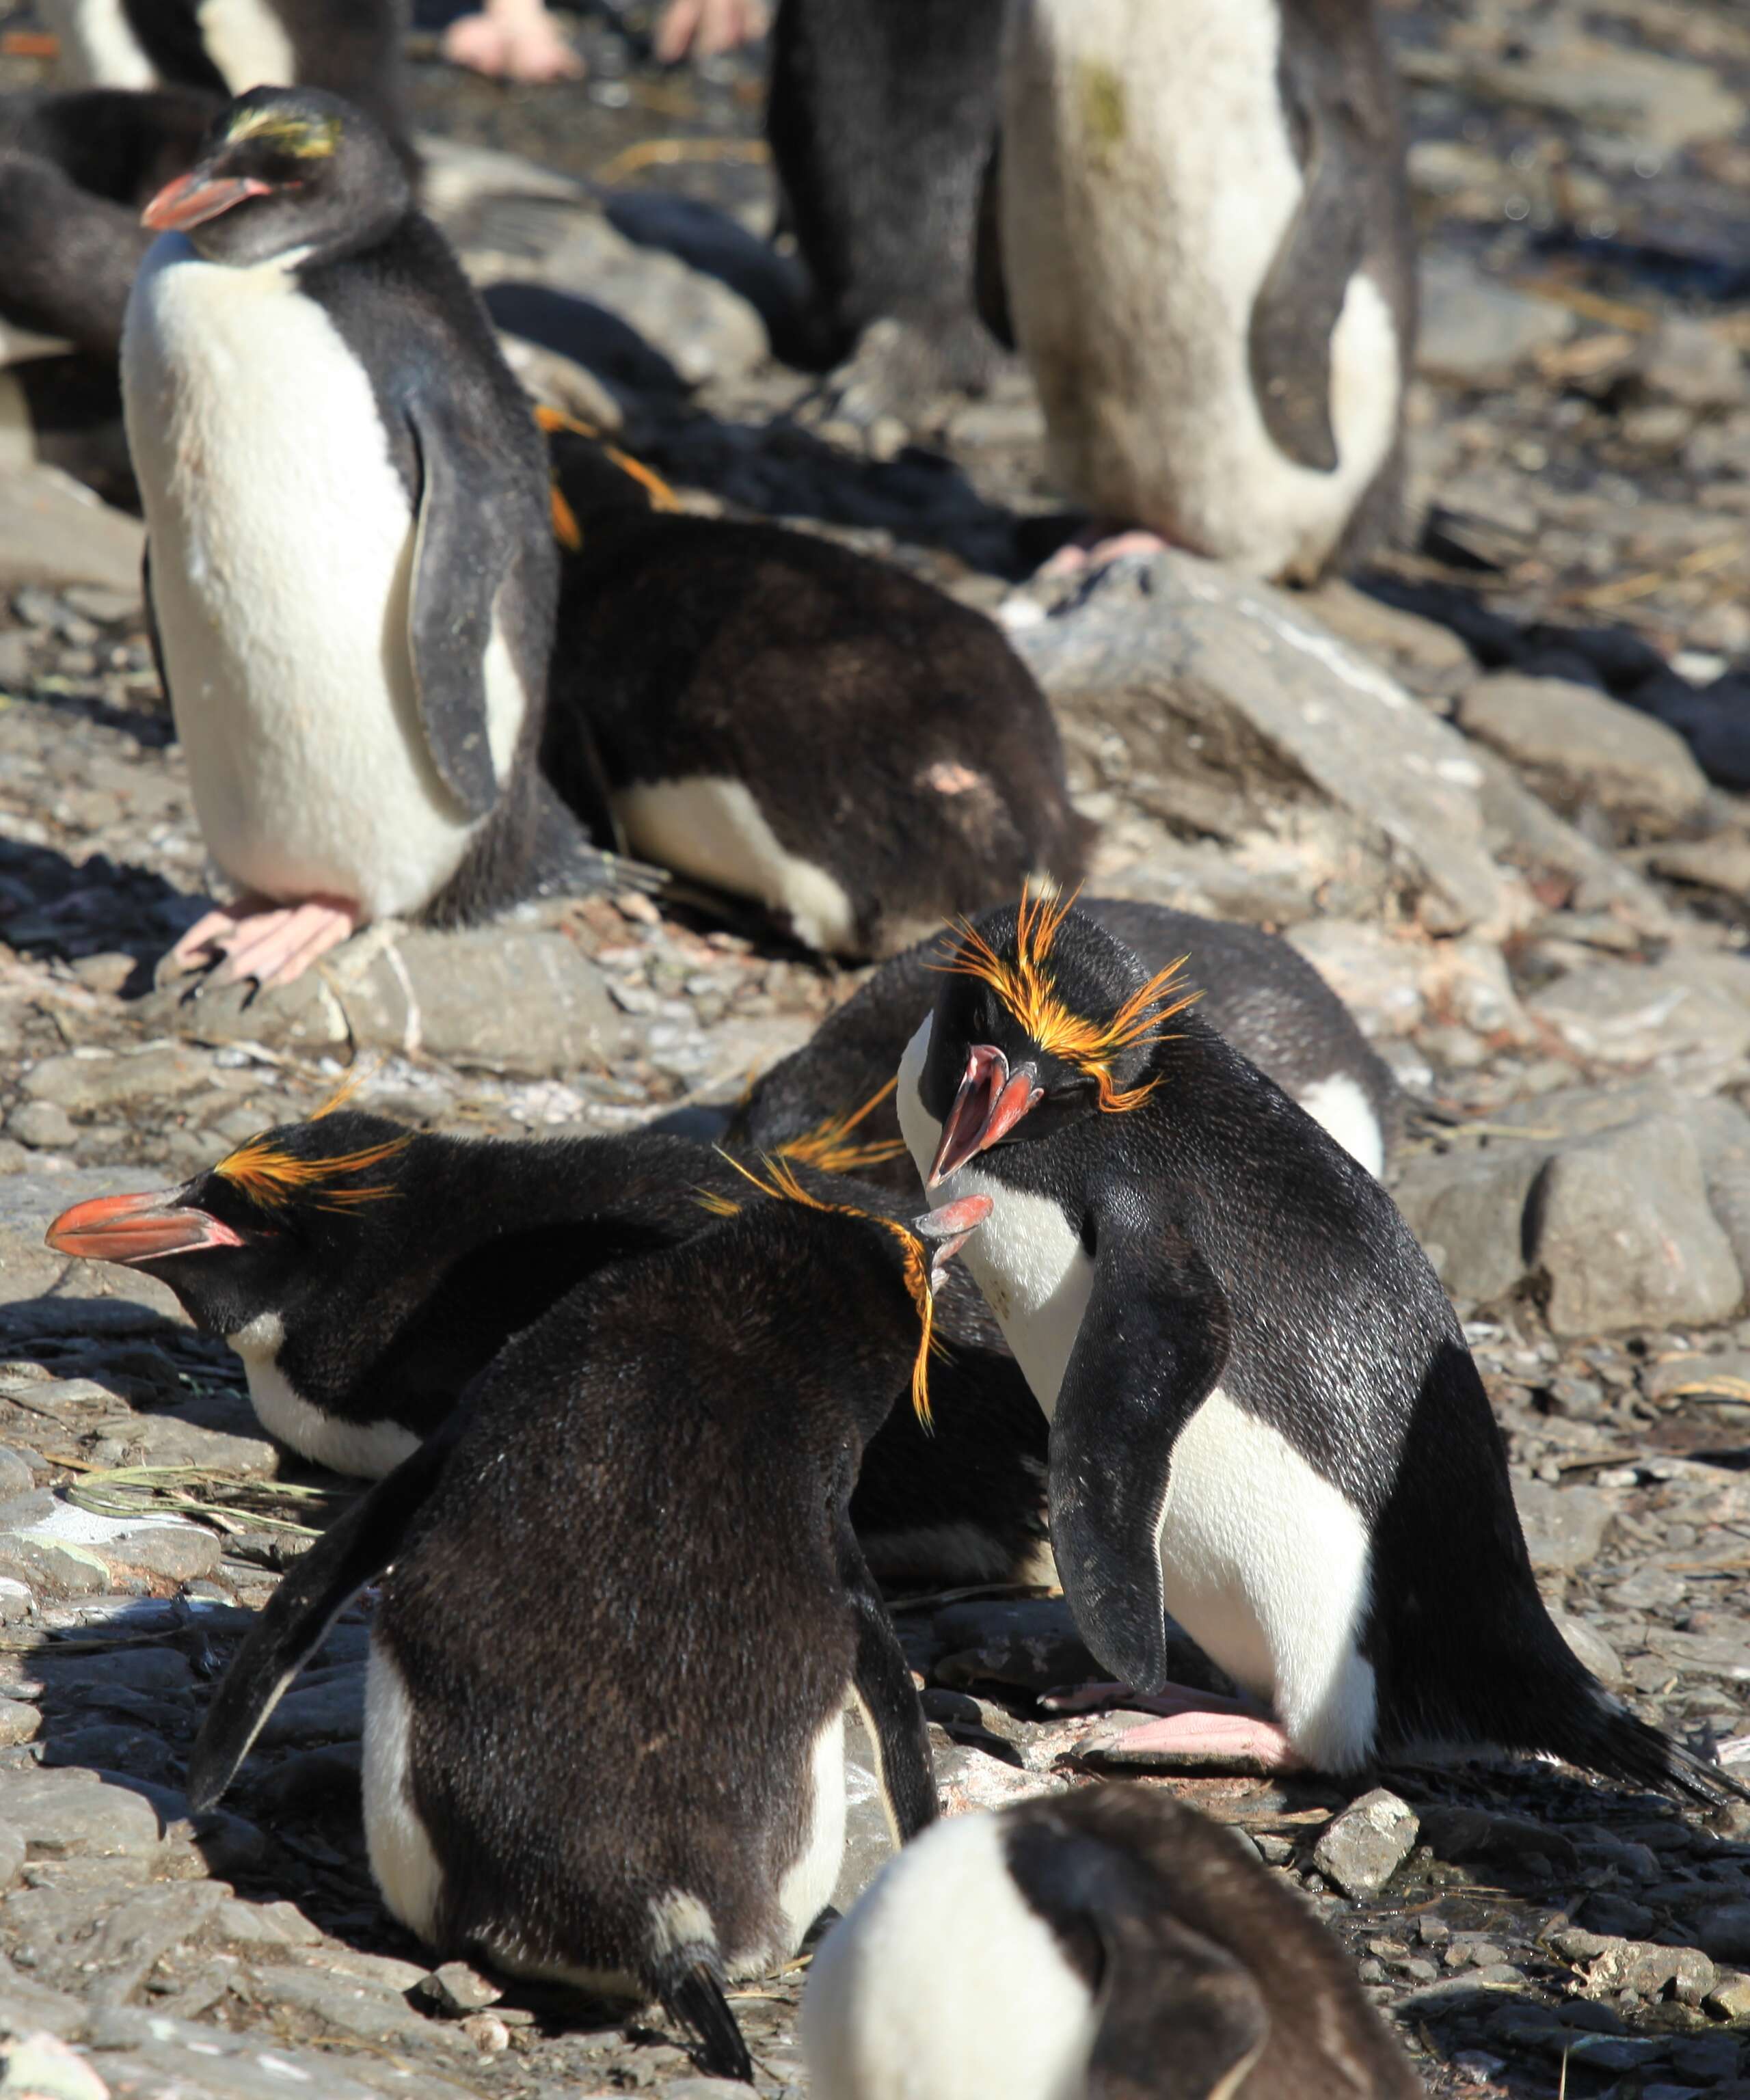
946,1986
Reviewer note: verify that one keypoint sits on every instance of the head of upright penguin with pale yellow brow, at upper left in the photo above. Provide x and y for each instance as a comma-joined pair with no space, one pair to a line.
280,171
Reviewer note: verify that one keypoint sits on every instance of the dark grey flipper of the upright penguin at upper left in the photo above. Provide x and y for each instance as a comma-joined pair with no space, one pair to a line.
461,560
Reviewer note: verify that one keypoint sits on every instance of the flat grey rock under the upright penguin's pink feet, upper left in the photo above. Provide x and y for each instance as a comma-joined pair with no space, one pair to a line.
516,999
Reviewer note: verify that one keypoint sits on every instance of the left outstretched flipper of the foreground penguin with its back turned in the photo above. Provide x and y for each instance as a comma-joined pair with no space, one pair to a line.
297,1618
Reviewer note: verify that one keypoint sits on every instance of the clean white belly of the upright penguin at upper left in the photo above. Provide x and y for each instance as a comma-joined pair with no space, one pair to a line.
283,551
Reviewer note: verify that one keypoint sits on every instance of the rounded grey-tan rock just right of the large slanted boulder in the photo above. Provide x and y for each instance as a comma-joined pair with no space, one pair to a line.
1577,747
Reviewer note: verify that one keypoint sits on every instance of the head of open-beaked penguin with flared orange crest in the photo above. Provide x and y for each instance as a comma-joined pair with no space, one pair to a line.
1043,1020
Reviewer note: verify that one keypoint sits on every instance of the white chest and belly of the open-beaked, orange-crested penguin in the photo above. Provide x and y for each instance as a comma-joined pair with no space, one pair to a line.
1264,1561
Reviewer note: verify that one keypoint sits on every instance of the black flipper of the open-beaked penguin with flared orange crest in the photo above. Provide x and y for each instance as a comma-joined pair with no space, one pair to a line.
1152,1345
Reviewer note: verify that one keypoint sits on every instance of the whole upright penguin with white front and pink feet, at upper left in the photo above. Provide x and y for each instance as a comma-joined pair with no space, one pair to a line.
354,593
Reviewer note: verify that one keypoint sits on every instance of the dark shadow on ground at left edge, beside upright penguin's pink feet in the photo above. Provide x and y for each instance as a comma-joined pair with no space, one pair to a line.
62,910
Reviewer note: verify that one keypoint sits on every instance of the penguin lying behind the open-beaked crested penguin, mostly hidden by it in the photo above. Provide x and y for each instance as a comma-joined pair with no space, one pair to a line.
1257,992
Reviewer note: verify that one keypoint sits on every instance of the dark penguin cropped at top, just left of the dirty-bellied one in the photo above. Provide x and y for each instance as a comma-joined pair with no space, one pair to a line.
881,123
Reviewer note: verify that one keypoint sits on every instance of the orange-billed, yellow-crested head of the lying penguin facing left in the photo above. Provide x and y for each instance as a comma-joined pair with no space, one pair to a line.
276,1219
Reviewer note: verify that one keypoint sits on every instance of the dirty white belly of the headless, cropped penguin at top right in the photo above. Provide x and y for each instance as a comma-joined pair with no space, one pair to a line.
1142,209
